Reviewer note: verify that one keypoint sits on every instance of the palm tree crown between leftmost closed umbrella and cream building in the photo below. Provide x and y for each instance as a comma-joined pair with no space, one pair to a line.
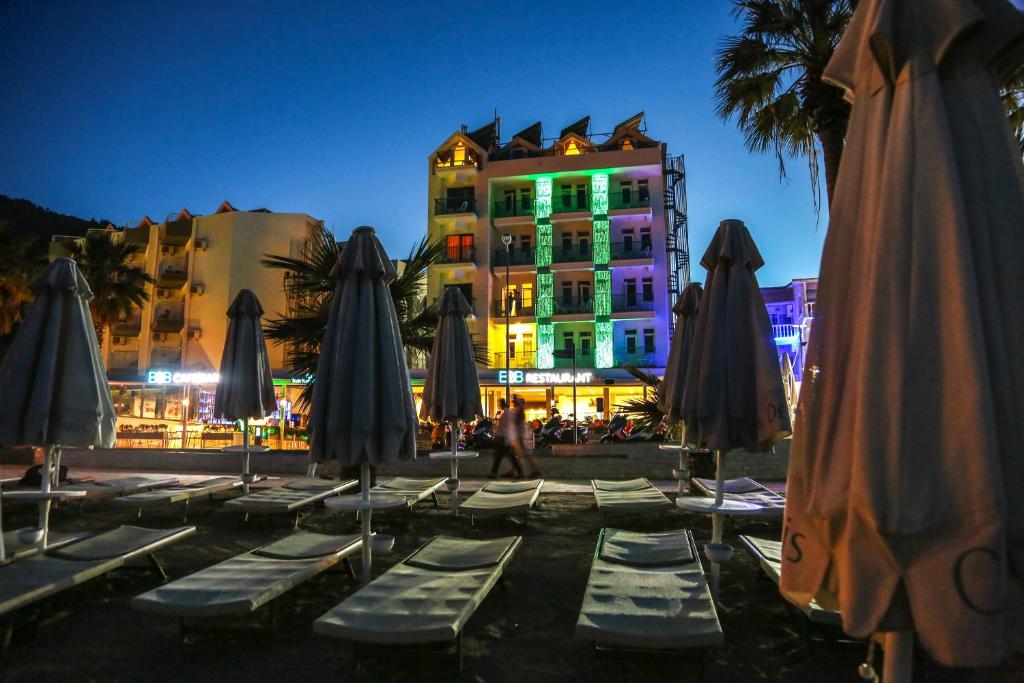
118,287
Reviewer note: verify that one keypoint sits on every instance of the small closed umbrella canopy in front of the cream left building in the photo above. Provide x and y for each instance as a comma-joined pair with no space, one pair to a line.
246,387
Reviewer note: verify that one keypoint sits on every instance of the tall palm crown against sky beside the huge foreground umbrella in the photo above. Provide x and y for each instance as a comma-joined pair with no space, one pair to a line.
770,78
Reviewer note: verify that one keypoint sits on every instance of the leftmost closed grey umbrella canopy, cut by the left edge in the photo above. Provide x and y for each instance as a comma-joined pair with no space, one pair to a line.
55,386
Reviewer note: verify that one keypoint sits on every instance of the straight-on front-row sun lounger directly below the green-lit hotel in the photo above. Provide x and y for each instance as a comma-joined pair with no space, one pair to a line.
649,592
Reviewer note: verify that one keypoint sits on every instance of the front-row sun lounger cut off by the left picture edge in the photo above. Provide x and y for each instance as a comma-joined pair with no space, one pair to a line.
60,569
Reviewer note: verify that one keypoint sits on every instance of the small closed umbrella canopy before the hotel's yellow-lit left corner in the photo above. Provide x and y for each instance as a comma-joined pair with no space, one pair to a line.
452,389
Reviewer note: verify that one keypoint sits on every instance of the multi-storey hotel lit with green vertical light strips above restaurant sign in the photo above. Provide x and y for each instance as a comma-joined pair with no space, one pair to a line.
587,235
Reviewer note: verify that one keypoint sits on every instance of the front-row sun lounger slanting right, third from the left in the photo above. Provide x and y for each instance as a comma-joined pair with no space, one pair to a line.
426,599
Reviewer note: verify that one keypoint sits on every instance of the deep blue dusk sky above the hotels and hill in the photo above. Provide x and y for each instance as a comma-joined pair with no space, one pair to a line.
119,110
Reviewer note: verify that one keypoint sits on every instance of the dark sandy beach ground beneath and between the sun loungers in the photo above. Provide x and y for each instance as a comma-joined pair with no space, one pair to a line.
523,632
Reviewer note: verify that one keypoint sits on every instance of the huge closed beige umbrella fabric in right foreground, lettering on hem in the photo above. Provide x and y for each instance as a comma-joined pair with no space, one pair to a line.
906,504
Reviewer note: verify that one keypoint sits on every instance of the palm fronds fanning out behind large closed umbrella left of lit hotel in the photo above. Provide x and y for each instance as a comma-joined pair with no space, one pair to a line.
312,290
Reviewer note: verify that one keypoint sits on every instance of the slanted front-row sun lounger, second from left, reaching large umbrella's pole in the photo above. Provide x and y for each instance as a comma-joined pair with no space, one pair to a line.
244,583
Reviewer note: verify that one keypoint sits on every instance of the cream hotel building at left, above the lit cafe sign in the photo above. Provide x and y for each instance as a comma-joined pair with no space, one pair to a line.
162,361
